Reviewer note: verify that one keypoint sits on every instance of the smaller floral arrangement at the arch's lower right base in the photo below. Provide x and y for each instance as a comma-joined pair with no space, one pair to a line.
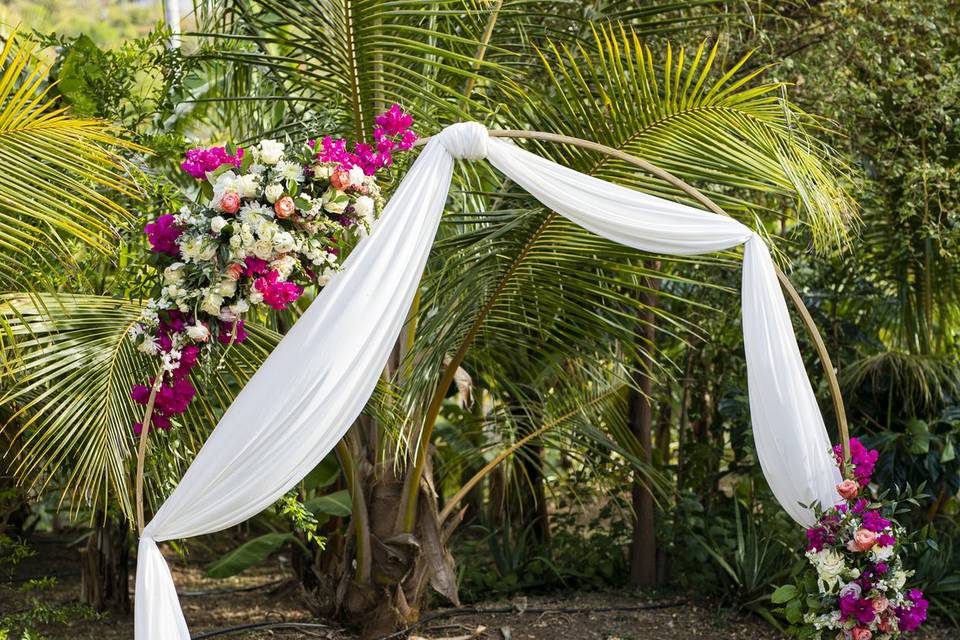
855,587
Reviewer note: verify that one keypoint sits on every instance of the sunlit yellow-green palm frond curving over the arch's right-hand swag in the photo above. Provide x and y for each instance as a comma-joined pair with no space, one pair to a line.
731,134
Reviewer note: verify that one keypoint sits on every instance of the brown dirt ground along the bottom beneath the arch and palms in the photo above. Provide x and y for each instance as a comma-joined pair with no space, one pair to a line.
263,599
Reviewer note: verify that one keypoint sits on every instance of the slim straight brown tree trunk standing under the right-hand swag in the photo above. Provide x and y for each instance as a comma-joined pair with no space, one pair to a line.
643,547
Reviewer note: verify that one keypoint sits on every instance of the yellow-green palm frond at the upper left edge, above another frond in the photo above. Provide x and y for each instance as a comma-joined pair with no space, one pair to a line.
55,170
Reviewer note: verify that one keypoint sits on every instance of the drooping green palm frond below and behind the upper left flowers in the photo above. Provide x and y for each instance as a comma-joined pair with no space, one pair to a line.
67,402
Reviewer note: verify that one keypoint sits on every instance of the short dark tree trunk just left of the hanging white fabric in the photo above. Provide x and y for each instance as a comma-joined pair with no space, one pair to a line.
104,568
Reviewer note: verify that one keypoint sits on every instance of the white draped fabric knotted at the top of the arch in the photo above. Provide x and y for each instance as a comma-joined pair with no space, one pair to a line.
311,388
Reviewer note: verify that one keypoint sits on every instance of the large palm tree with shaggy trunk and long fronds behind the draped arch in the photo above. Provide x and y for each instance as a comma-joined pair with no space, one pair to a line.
506,278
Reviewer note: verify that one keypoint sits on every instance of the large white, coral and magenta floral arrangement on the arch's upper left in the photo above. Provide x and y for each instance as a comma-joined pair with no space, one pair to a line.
272,219
